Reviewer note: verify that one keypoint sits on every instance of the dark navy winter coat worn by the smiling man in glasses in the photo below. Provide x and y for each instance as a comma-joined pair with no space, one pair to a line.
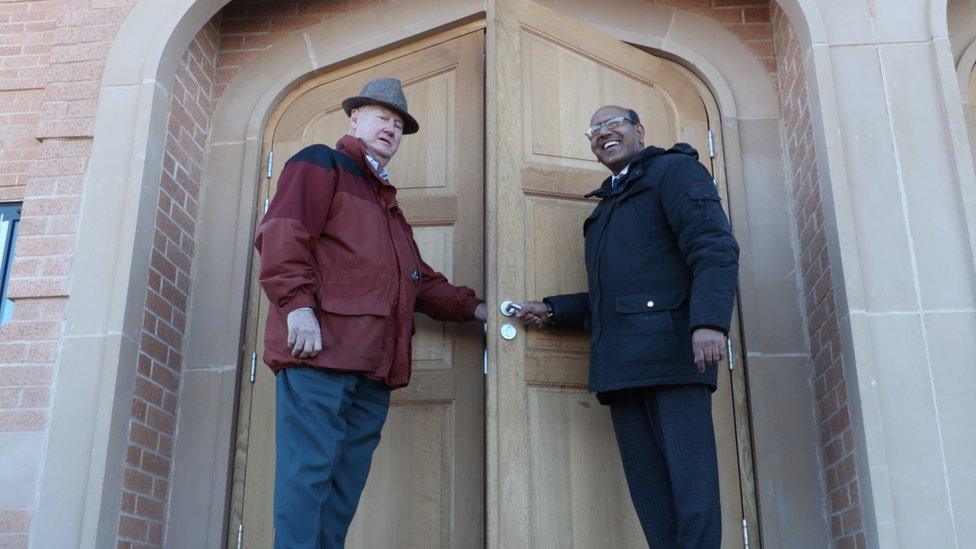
661,261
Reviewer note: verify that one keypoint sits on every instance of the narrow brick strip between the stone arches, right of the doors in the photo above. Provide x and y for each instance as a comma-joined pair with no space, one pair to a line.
830,388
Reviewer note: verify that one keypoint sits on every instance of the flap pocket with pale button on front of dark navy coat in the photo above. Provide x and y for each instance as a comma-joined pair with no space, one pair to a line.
646,328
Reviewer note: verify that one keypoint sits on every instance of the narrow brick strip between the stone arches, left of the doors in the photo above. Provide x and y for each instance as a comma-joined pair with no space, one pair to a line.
154,406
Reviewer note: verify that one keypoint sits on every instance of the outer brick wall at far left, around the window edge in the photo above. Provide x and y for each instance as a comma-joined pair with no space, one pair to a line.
52,53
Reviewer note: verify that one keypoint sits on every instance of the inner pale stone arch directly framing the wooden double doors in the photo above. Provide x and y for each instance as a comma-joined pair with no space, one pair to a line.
750,118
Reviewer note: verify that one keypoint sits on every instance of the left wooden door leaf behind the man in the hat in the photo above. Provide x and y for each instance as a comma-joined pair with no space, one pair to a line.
426,487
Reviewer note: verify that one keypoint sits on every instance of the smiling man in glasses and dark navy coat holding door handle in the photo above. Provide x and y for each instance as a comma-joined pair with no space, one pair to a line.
662,267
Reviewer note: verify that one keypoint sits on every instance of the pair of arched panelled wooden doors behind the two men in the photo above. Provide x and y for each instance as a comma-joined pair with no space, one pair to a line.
551,464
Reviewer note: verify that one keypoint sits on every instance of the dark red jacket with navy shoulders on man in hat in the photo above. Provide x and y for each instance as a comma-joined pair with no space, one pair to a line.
334,239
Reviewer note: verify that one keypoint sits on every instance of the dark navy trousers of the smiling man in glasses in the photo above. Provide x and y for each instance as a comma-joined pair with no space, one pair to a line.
667,445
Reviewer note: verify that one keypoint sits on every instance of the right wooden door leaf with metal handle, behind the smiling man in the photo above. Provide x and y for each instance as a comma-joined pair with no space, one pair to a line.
554,473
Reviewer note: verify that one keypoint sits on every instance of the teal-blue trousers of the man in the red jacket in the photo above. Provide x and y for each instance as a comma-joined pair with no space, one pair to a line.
327,425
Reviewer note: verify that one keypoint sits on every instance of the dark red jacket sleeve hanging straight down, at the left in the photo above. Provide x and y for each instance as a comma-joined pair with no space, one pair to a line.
296,216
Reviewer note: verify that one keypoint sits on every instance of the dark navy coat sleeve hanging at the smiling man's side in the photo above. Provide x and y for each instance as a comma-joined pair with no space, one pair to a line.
694,211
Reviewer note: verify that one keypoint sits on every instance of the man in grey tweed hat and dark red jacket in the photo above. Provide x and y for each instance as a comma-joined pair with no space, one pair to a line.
344,277
